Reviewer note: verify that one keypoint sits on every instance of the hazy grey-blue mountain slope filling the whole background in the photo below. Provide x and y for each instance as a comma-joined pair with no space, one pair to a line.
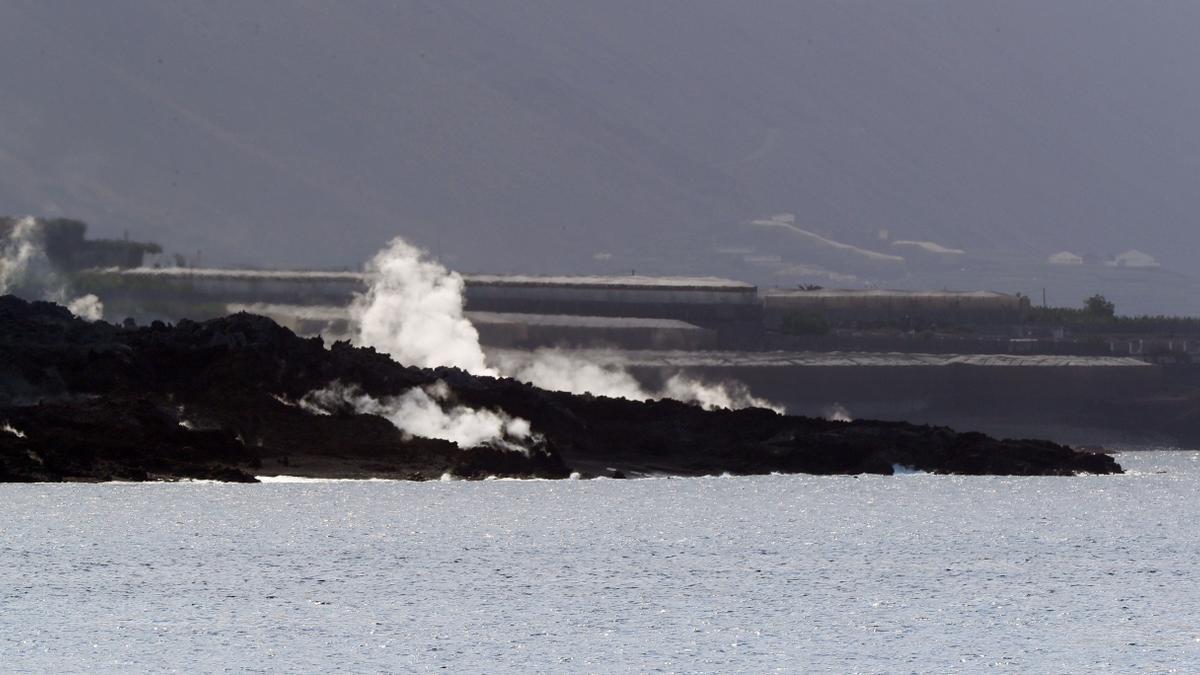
536,135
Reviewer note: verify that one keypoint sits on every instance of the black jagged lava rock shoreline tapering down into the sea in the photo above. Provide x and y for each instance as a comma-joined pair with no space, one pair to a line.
218,401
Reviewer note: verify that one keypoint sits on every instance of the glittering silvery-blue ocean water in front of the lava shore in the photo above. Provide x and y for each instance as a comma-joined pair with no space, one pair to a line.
779,574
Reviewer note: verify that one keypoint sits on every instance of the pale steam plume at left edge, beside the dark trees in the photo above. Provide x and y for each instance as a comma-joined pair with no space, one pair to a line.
26,271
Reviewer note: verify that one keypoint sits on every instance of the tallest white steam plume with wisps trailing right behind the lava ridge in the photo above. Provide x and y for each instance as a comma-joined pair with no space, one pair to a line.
413,310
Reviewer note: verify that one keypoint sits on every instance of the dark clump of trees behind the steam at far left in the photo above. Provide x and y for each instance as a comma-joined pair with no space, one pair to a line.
69,249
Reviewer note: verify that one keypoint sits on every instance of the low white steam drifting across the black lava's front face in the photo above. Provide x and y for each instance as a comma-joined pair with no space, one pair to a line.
423,411
